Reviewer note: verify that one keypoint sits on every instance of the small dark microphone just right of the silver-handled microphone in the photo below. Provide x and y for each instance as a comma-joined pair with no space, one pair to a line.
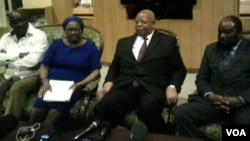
105,130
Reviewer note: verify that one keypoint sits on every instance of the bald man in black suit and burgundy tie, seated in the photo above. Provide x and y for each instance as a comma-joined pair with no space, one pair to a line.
145,84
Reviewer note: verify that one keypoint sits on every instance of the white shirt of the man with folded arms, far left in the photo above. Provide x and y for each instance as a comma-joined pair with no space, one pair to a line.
34,42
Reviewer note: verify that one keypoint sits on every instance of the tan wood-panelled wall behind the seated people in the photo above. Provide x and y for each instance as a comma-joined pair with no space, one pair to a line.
110,18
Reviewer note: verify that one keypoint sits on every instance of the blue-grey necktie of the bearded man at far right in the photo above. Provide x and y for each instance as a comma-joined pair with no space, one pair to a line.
226,62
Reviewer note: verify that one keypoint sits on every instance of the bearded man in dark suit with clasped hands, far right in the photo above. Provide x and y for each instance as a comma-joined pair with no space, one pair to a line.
222,83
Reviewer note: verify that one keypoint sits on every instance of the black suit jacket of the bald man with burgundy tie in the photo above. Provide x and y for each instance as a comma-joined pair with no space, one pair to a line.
160,66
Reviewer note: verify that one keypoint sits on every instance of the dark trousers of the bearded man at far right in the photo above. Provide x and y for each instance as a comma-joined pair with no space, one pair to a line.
191,116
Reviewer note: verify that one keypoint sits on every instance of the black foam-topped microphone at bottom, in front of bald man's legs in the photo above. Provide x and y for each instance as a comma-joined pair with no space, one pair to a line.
138,132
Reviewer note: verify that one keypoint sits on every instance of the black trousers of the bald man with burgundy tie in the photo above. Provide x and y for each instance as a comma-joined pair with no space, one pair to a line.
120,101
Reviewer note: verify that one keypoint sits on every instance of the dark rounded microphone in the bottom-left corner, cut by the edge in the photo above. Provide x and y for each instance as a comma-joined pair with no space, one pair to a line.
7,124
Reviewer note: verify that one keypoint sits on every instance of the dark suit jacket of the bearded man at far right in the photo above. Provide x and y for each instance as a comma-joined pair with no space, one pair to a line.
235,82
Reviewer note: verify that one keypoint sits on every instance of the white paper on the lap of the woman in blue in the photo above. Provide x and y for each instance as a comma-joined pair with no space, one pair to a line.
60,91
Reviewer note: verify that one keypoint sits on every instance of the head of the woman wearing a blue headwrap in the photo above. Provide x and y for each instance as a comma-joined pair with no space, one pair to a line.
73,27
